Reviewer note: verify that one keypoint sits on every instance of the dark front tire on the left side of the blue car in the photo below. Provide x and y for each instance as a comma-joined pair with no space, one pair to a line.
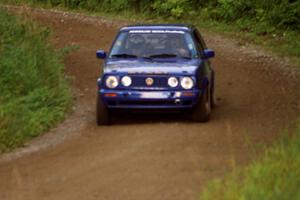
102,114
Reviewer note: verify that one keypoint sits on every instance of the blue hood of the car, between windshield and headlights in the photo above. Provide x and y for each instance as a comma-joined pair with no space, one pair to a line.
138,67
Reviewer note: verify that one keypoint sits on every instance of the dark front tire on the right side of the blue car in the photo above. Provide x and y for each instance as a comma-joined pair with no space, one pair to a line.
203,109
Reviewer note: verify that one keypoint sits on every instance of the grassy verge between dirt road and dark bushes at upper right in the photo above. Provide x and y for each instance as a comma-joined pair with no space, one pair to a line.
284,44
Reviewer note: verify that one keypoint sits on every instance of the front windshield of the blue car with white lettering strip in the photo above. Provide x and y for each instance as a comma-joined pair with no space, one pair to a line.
154,44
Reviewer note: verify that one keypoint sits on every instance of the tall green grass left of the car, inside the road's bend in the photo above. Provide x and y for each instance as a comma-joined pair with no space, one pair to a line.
34,93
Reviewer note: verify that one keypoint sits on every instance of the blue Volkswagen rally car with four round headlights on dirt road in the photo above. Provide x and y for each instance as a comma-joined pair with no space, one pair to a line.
156,67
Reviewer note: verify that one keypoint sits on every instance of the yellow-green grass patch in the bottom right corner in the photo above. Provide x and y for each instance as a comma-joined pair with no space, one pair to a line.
275,177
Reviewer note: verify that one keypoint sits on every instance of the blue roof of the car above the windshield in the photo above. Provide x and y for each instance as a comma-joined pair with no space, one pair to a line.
177,27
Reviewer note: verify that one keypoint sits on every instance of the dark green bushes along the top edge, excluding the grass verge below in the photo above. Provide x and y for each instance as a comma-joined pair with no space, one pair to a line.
275,14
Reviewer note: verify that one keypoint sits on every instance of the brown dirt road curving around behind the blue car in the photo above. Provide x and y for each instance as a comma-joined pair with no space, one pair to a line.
150,157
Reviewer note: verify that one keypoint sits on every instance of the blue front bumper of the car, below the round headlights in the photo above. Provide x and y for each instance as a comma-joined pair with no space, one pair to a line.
121,99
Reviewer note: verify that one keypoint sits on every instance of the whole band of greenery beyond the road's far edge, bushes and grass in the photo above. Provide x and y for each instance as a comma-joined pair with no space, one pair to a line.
275,23
